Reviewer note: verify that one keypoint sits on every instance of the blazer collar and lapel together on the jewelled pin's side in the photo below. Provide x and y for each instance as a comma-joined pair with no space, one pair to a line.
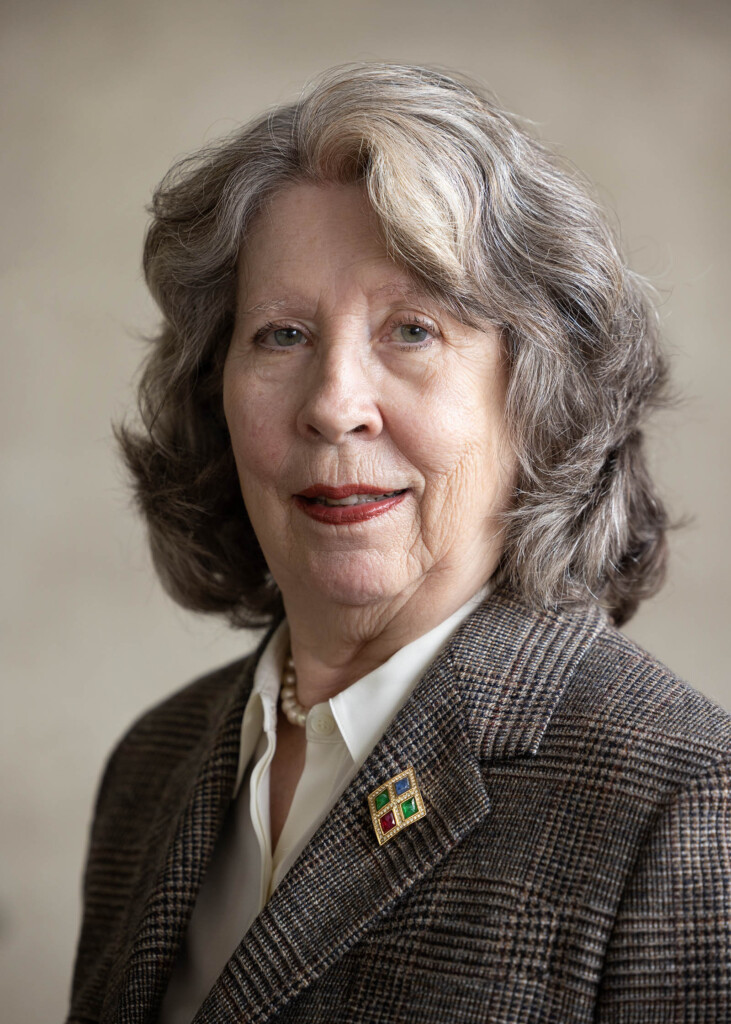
491,695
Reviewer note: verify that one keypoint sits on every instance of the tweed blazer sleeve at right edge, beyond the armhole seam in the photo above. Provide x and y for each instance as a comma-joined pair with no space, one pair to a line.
669,957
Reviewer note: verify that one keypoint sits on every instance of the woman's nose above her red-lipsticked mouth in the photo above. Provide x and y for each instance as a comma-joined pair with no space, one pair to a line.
340,399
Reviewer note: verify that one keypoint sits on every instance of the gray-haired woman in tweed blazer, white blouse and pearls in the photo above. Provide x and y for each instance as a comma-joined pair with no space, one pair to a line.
395,412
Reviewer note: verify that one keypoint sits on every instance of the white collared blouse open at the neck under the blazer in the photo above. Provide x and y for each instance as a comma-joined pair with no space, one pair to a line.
244,871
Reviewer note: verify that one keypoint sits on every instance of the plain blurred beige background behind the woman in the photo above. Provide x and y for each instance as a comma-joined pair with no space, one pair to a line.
100,98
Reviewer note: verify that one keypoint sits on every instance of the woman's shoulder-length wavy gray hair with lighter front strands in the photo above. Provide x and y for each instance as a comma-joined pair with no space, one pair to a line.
495,227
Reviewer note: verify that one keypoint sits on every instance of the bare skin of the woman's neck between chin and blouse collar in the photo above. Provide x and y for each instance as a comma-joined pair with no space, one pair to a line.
334,645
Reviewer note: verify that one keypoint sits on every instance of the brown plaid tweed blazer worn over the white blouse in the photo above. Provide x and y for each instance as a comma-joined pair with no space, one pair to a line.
575,864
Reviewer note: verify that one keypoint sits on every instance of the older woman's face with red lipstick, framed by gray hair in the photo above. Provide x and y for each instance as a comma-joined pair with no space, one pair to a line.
367,424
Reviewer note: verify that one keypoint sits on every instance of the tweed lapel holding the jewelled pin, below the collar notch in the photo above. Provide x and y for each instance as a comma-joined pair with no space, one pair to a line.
343,880
